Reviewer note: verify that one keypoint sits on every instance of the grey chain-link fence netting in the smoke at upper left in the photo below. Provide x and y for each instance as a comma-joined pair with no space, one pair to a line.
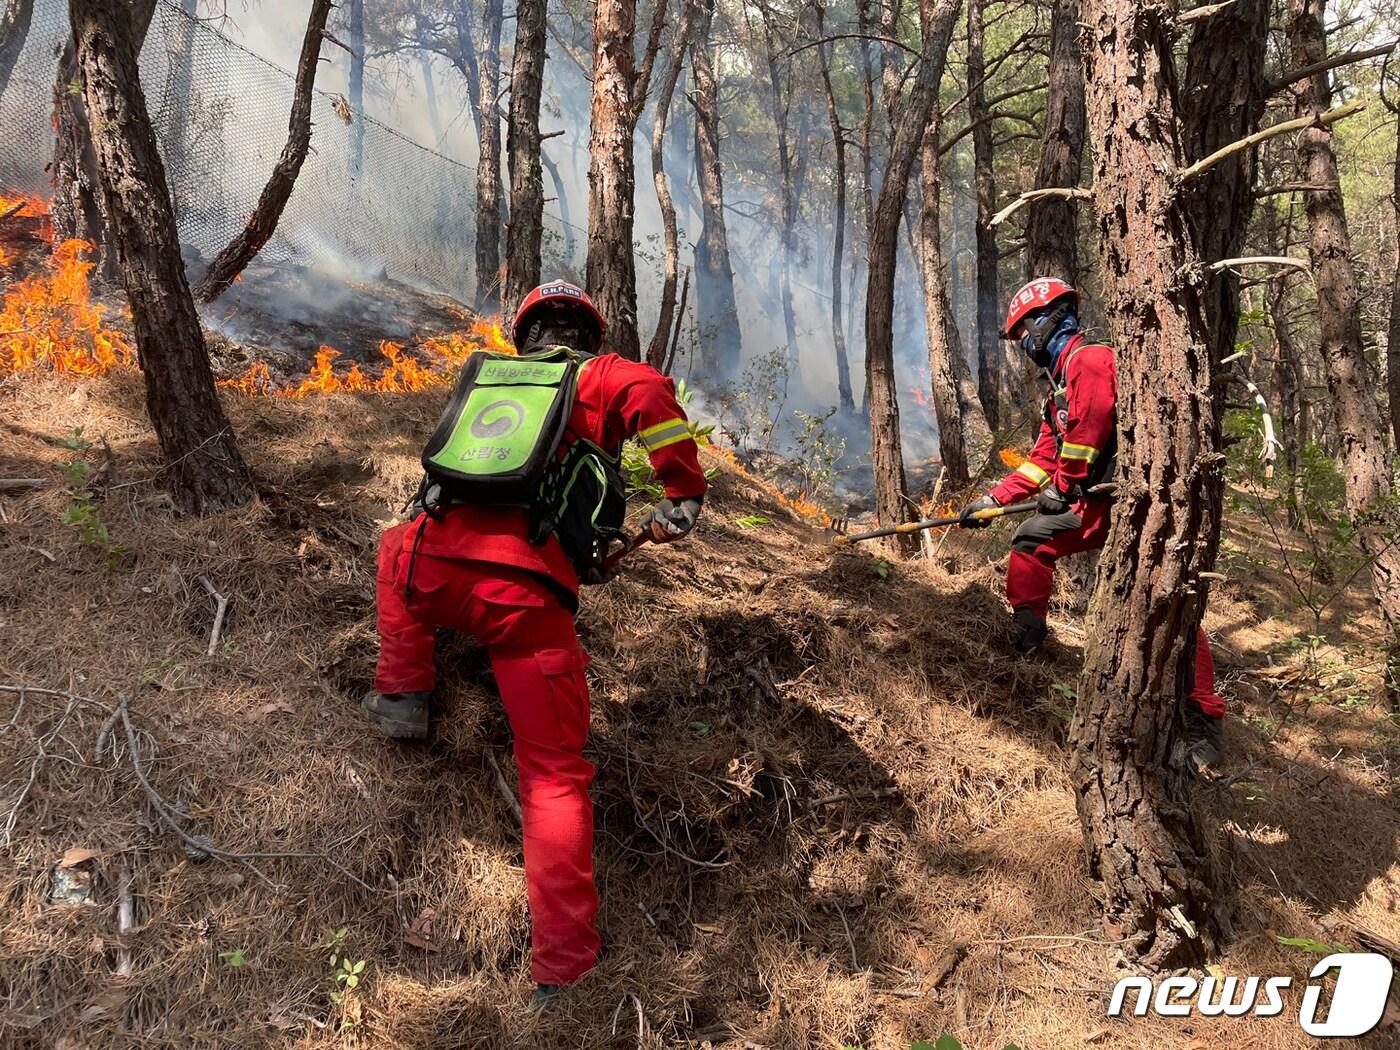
220,114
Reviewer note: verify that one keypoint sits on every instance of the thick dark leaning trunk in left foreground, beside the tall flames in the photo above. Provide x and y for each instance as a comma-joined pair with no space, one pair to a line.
206,471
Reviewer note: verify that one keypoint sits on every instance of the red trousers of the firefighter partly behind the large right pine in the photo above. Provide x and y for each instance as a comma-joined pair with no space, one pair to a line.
1045,538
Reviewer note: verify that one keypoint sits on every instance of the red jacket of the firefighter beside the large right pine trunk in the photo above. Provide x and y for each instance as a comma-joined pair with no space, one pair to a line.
1080,430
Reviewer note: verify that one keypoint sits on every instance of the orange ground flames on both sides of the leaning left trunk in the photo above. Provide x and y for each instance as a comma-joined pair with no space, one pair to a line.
50,323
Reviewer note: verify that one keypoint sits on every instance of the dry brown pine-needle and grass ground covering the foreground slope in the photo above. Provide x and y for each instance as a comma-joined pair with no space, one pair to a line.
813,782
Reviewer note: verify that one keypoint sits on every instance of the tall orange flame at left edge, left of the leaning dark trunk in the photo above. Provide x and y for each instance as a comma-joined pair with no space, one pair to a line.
51,321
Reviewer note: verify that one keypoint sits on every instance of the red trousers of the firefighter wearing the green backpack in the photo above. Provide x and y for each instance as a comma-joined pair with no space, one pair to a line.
540,671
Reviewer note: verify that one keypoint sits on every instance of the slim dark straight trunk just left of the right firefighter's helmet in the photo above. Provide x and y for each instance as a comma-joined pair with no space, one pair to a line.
989,299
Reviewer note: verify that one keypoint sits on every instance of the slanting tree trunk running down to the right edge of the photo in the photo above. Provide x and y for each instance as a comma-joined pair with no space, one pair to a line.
1366,464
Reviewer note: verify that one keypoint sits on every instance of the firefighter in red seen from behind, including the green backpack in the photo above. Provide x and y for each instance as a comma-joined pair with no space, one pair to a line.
520,502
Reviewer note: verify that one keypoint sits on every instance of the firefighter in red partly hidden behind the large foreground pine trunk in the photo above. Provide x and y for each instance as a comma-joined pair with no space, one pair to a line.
1074,453
